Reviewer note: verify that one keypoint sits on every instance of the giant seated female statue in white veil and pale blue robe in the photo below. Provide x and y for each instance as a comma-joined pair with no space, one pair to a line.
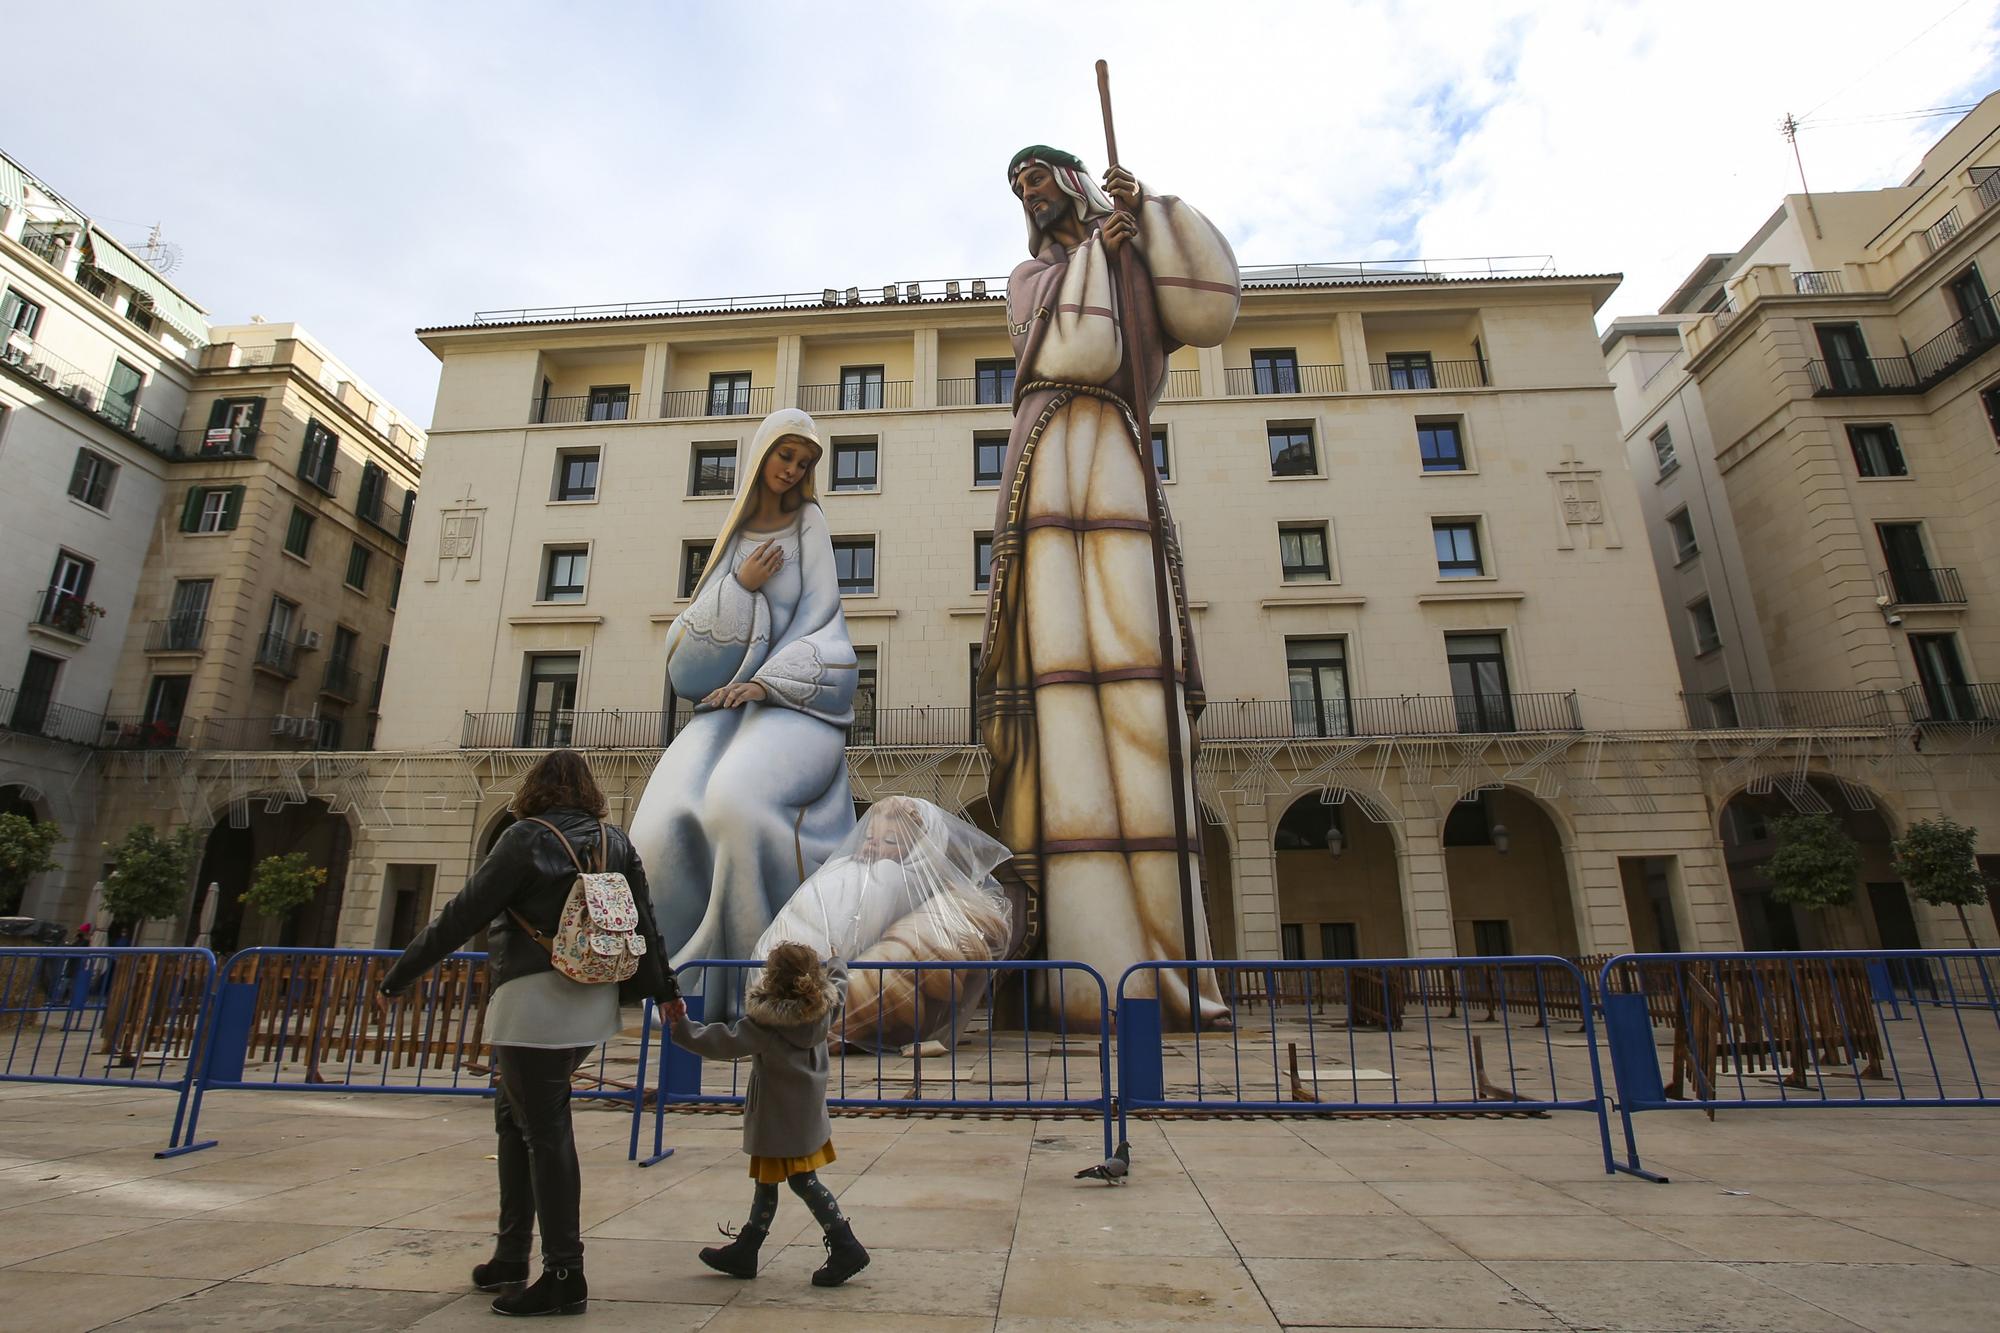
753,796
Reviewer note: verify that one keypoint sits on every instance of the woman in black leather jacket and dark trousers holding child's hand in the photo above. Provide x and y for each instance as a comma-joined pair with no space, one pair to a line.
539,1022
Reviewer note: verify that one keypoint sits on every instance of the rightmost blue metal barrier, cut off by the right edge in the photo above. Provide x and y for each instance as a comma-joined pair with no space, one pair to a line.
1847,1028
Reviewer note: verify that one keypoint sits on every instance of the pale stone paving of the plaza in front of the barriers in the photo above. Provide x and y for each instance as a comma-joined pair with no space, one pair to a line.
339,1212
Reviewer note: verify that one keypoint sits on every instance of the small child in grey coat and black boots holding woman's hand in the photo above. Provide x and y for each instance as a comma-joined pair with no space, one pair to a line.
787,1130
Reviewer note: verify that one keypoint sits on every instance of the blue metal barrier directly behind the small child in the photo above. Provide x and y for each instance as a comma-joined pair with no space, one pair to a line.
997,1062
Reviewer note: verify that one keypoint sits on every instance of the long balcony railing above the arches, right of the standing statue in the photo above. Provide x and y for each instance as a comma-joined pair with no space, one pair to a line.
1409,716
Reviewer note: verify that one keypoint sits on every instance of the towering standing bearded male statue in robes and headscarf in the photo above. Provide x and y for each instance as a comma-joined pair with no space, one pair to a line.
1073,682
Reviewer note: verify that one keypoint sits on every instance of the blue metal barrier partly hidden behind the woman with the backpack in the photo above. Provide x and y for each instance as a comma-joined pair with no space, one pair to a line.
307,1022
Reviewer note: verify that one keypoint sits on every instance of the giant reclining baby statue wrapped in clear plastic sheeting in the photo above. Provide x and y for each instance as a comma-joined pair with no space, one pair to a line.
909,886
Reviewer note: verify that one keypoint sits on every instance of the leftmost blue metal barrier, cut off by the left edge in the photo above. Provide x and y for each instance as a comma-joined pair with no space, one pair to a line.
113,1018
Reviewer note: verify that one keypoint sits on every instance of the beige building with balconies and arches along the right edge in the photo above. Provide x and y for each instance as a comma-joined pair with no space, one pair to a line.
1813,423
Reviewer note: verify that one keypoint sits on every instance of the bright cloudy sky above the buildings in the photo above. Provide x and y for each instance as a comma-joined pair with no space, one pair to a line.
371,169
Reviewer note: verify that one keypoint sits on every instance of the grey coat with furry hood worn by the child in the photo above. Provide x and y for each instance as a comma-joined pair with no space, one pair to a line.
785,1038
